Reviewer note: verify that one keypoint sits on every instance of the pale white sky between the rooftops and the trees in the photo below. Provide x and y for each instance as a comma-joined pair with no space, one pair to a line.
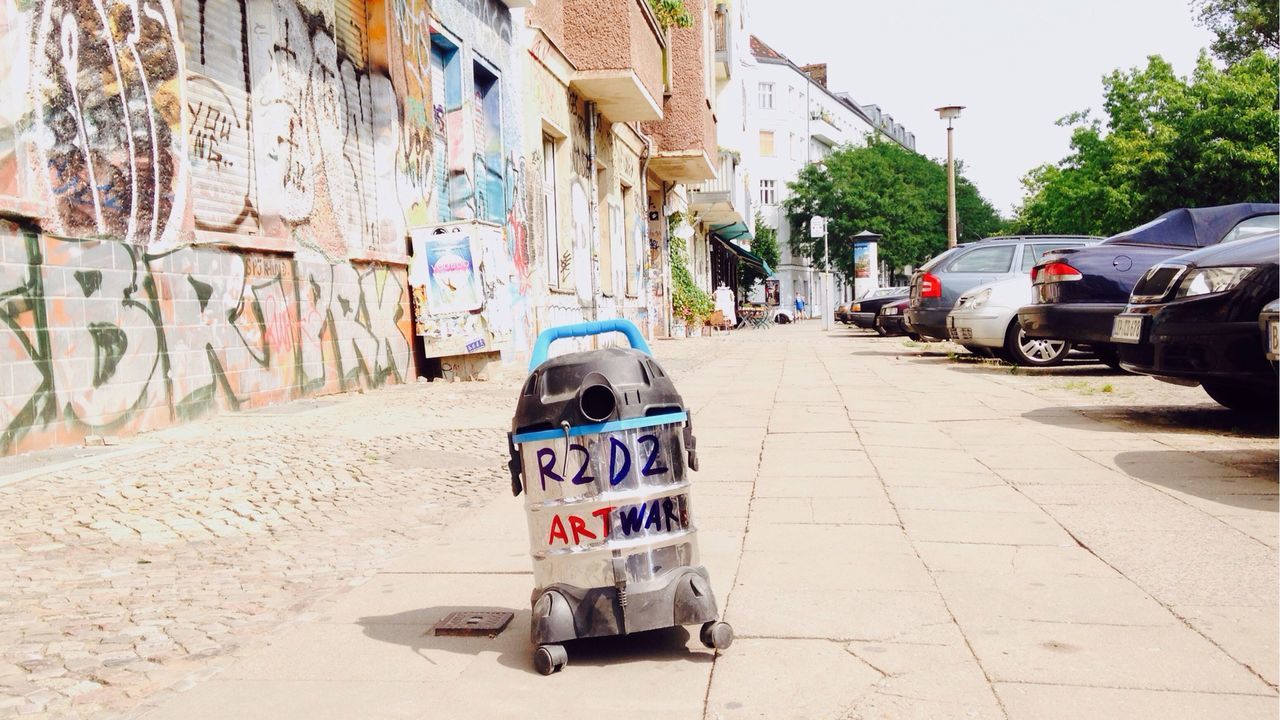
1017,66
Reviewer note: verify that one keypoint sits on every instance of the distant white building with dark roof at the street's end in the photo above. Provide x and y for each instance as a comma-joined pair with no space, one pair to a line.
794,120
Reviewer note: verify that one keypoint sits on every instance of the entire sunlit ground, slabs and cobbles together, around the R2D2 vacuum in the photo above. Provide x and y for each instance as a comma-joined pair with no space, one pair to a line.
893,534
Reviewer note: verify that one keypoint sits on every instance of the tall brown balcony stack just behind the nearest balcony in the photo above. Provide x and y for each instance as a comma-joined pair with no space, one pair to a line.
685,138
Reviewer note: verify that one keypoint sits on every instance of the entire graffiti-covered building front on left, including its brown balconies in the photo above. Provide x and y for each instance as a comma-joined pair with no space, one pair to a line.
221,204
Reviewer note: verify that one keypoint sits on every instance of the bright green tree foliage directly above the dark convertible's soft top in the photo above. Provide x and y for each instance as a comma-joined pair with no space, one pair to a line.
1168,143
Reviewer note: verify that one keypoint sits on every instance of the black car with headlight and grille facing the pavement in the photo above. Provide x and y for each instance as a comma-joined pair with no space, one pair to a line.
1196,318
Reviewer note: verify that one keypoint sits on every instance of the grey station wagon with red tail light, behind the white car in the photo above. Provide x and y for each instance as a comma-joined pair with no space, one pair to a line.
940,282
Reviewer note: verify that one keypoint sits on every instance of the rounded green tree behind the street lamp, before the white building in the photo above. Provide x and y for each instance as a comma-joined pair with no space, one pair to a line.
888,190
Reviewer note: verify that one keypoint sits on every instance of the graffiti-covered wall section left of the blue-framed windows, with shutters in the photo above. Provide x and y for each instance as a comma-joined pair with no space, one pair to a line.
216,197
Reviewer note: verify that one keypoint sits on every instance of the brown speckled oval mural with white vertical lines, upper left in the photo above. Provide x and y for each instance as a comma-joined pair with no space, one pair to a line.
107,81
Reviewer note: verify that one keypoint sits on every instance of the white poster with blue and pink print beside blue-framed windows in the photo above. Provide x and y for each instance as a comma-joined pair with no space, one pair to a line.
445,266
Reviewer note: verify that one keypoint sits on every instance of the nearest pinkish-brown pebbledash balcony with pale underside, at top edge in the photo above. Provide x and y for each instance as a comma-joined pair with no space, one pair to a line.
618,48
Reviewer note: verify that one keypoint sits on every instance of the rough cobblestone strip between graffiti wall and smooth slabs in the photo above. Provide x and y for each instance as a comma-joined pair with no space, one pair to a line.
130,573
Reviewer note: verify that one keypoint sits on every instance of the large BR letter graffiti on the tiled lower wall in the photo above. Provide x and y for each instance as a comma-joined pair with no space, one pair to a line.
103,338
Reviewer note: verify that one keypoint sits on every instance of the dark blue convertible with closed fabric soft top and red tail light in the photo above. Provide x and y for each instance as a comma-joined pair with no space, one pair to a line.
1078,293
